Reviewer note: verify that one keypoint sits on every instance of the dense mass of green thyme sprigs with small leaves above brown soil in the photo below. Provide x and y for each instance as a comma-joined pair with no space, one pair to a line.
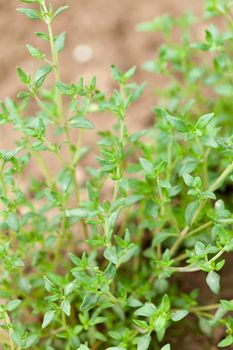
85,269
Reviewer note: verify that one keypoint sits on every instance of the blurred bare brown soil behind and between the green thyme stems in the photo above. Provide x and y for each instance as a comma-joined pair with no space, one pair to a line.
108,27
